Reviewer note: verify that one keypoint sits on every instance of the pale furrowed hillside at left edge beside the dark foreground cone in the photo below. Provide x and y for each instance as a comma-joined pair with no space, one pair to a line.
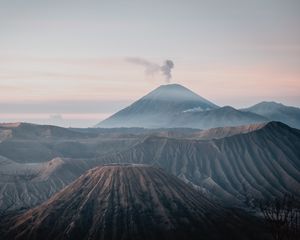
26,185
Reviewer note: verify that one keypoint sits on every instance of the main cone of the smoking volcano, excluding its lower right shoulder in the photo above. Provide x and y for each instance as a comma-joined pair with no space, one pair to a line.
158,108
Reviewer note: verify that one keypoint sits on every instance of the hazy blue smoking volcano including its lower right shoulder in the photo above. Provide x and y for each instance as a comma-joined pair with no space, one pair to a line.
171,106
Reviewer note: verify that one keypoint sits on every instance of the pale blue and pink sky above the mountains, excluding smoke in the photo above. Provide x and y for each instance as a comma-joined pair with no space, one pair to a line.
66,62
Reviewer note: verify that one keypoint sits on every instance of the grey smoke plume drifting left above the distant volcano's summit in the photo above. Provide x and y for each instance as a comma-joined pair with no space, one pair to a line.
154,68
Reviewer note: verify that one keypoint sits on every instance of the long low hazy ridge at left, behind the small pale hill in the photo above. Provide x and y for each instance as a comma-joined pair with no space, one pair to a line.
31,143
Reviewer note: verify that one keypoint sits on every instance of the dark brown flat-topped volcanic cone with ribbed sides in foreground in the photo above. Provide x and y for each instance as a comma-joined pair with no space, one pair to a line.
127,202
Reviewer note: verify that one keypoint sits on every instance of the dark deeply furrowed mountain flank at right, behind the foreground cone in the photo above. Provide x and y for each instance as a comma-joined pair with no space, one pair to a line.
261,164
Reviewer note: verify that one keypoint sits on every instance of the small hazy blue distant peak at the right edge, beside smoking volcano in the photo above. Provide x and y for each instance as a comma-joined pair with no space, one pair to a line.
277,112
